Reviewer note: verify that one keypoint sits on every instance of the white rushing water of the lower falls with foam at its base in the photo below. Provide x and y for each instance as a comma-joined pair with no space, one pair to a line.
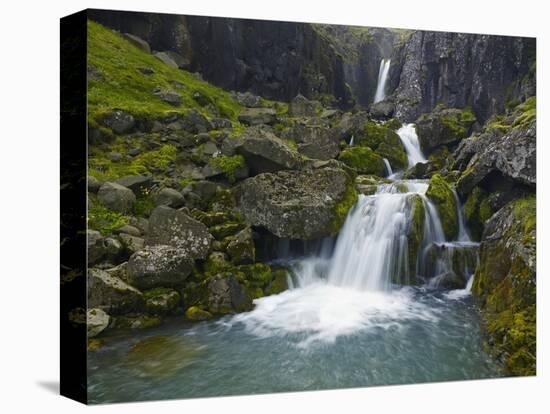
359,285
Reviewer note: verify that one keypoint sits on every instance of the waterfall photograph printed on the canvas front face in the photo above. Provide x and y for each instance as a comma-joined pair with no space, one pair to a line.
283,206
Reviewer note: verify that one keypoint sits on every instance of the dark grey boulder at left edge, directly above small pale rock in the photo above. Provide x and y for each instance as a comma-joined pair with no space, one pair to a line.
111,294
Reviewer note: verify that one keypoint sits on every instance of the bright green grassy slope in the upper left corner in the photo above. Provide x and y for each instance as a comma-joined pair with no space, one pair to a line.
124,87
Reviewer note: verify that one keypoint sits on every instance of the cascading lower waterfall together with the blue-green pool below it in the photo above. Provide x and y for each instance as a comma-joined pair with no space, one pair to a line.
344,307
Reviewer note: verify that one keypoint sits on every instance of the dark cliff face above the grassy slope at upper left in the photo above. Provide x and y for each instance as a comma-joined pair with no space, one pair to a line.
277,60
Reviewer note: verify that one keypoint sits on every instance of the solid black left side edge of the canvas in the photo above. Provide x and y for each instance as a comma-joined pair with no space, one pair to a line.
73,185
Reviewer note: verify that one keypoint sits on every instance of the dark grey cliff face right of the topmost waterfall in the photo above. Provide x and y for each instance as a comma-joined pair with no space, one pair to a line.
458,70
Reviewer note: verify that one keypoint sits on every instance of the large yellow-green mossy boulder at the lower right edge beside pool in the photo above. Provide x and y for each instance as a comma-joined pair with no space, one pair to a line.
505,283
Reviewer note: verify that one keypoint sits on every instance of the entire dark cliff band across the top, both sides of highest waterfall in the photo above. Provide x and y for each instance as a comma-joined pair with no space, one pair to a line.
279,60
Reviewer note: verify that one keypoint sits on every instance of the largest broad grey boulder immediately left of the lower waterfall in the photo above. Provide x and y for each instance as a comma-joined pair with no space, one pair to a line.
298,204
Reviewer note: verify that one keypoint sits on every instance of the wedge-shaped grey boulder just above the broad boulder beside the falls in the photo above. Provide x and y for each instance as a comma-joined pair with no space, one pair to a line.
264,152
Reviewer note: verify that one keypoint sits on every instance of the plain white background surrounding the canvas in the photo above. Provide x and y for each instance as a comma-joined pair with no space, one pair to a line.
29,206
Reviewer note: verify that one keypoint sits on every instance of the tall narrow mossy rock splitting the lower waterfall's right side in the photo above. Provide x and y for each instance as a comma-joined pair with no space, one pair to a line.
442,195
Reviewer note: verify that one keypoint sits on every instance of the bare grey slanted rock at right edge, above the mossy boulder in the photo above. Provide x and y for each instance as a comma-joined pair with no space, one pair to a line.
513,156
